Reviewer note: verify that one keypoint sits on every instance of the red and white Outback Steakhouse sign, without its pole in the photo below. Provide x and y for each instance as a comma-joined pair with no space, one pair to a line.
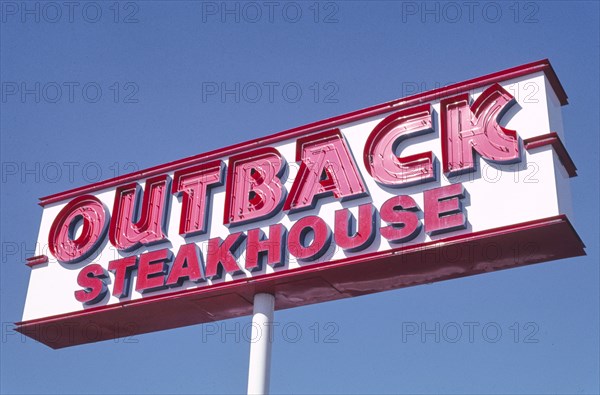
465,179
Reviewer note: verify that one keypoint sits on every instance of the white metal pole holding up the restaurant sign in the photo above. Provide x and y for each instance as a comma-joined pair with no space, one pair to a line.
259,371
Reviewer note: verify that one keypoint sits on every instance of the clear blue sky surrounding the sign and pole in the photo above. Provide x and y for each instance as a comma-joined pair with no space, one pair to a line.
151,109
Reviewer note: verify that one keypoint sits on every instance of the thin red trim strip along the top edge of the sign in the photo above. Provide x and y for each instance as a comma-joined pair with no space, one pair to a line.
423,97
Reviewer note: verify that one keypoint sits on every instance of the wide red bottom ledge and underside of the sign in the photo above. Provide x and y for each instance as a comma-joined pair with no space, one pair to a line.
458,256
